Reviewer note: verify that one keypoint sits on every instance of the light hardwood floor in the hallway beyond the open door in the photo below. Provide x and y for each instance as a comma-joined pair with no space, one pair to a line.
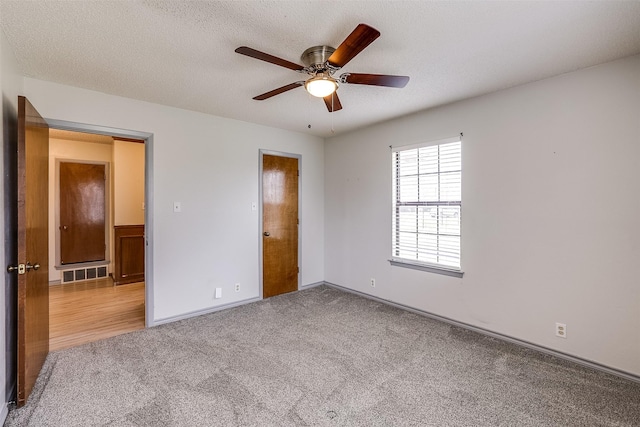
93,310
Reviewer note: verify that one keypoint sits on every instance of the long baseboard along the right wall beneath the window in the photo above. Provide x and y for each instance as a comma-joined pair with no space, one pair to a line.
542,349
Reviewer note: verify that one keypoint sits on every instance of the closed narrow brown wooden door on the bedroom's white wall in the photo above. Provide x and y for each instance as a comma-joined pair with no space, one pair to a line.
279,225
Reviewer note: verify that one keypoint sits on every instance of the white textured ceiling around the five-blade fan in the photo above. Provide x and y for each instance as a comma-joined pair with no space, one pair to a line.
181,53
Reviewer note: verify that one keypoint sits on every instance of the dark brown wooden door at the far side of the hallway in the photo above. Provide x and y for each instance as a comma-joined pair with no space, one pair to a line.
82,212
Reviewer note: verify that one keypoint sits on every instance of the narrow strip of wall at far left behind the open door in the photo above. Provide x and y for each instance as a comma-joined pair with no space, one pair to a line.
11,85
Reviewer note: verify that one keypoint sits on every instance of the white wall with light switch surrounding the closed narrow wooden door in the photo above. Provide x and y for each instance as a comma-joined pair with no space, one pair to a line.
210,164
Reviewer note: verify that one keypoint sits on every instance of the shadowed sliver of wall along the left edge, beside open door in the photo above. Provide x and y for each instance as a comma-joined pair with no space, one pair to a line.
11,85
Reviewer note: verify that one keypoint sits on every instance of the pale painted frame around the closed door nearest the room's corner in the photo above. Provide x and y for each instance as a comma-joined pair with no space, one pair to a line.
260,213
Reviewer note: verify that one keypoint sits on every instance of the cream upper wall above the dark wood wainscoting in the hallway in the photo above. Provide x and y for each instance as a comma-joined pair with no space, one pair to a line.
128,183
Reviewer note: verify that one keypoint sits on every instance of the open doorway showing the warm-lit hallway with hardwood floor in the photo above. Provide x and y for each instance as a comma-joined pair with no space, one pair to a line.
97,190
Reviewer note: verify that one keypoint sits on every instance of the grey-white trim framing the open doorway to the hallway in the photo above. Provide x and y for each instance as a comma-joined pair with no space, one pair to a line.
147,137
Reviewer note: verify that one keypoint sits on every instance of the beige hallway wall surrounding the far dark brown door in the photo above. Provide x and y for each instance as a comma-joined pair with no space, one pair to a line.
76,150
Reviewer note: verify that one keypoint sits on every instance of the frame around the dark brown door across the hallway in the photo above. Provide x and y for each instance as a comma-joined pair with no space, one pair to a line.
107,207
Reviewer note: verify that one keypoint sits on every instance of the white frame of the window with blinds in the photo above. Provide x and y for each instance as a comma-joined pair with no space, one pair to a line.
455,271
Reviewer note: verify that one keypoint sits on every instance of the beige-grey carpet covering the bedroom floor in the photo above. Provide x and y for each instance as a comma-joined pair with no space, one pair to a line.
319,357
